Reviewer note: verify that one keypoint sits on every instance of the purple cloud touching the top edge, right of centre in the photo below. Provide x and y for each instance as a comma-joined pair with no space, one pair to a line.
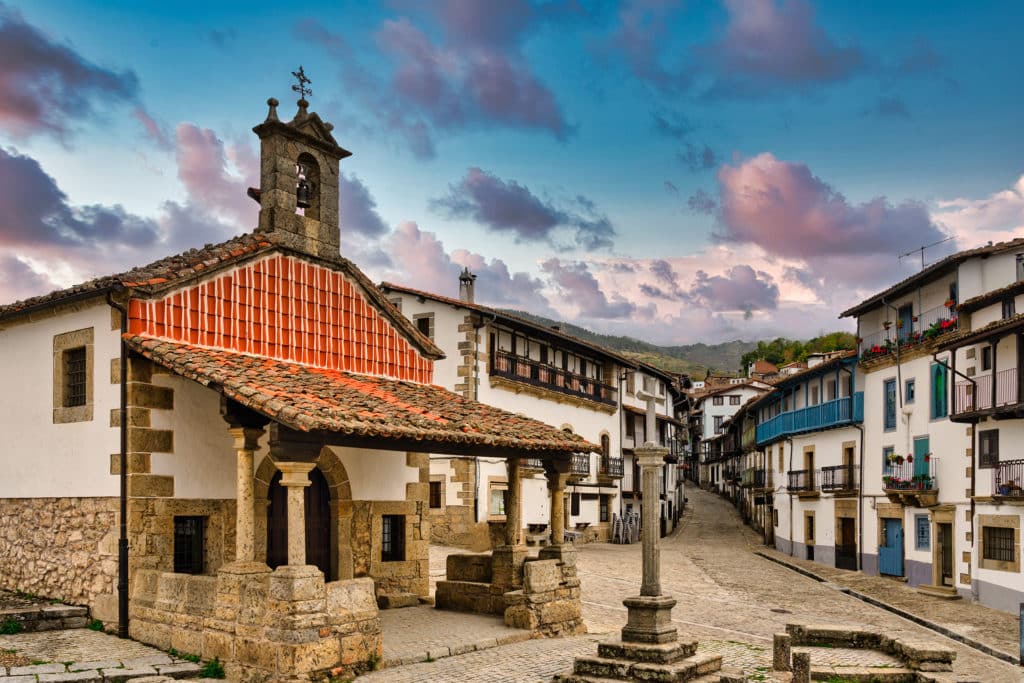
772,45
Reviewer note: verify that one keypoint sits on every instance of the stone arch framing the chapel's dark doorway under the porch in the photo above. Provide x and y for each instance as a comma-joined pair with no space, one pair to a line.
342,508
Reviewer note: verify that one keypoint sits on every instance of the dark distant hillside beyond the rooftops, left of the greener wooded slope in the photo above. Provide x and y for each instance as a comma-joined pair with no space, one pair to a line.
692,359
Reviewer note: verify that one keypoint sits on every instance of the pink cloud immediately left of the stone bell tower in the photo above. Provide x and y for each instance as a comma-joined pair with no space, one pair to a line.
206,172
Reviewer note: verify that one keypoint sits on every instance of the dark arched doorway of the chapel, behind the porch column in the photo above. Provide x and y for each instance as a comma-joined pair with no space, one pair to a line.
318,514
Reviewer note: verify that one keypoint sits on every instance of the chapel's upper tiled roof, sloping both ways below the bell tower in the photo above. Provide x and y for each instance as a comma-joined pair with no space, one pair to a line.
194,265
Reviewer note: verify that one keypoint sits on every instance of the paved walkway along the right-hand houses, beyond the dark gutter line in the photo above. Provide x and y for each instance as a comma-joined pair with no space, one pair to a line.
992,627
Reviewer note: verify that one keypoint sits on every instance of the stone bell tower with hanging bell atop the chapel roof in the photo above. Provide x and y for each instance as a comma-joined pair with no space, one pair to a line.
298,193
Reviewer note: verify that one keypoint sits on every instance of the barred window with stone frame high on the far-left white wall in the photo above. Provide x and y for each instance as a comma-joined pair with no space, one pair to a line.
73,376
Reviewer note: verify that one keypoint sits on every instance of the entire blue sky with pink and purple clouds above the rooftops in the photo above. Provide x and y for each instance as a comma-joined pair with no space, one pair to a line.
681,173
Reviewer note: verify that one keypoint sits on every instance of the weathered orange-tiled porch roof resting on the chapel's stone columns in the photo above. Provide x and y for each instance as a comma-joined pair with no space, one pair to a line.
310,400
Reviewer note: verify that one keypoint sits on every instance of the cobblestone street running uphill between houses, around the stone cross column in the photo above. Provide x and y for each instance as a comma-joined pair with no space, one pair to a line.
730,599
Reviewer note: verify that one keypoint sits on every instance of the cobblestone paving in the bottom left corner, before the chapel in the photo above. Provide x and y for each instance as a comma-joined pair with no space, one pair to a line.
81,655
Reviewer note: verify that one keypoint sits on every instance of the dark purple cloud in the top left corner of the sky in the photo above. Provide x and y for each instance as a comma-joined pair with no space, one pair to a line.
47,88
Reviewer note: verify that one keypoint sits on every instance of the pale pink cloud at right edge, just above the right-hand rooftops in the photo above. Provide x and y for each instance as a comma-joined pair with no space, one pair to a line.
975,222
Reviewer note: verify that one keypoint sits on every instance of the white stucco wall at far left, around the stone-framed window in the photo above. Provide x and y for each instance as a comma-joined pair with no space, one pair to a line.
40,459
